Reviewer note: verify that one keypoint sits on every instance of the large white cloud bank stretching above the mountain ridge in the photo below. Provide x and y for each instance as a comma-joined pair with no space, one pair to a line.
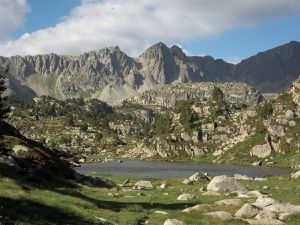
136,24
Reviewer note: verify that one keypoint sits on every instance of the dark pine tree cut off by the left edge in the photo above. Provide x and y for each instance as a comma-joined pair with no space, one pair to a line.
4,108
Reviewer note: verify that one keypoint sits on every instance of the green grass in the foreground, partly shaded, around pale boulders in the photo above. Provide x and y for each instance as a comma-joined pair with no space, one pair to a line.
61,202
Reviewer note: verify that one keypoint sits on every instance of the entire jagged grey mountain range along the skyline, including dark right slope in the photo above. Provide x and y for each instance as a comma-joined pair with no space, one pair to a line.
111,75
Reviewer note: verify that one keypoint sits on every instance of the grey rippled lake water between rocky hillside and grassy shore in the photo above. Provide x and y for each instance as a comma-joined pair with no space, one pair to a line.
158,169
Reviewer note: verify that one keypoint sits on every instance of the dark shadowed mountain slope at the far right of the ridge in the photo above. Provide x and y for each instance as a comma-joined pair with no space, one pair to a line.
272,70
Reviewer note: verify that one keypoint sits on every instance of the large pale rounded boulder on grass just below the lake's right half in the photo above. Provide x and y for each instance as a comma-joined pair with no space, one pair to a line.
224,183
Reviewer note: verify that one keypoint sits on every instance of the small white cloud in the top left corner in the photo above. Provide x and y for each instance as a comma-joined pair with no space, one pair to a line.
12,15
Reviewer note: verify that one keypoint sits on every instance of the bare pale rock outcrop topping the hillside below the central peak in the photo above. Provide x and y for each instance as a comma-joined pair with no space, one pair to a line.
168,95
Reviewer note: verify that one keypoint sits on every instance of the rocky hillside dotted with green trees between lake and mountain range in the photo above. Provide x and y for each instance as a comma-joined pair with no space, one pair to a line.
228,122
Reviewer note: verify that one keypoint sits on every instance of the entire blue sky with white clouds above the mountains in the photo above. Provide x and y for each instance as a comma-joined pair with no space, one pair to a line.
229,29
